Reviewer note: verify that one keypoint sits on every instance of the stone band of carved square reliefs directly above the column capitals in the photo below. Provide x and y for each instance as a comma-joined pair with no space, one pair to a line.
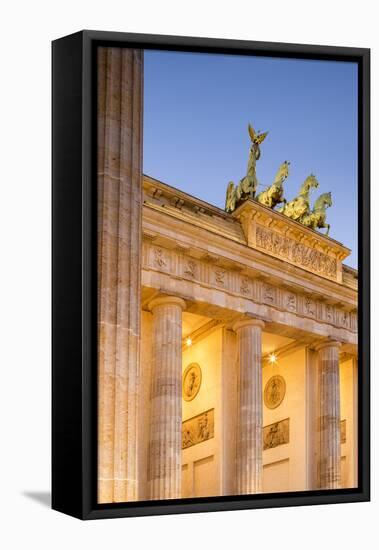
210,279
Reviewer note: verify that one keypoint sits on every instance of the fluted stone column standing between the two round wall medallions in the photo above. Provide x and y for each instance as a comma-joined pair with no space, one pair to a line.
250,408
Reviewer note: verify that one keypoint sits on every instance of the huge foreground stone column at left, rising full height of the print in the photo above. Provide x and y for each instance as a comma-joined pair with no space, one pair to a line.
119,268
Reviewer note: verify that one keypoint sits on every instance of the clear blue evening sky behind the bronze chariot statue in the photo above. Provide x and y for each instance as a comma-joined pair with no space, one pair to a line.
196,111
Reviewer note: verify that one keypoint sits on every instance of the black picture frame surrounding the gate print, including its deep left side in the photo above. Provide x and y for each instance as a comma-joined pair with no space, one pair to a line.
74,312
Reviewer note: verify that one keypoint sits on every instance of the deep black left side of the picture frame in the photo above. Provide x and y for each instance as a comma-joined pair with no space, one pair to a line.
67,129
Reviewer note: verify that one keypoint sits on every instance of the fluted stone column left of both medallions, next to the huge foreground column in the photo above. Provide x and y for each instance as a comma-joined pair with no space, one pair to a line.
166,399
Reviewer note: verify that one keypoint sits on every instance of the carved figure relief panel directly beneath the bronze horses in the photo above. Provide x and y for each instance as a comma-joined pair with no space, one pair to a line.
295,252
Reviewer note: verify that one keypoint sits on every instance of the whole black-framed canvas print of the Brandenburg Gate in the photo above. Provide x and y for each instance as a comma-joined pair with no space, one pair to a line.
210,275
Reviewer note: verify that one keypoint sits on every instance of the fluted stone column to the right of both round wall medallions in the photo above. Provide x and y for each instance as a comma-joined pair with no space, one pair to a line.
329,415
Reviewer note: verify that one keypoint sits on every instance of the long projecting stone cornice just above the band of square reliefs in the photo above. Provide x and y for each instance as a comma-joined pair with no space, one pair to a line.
199,246
